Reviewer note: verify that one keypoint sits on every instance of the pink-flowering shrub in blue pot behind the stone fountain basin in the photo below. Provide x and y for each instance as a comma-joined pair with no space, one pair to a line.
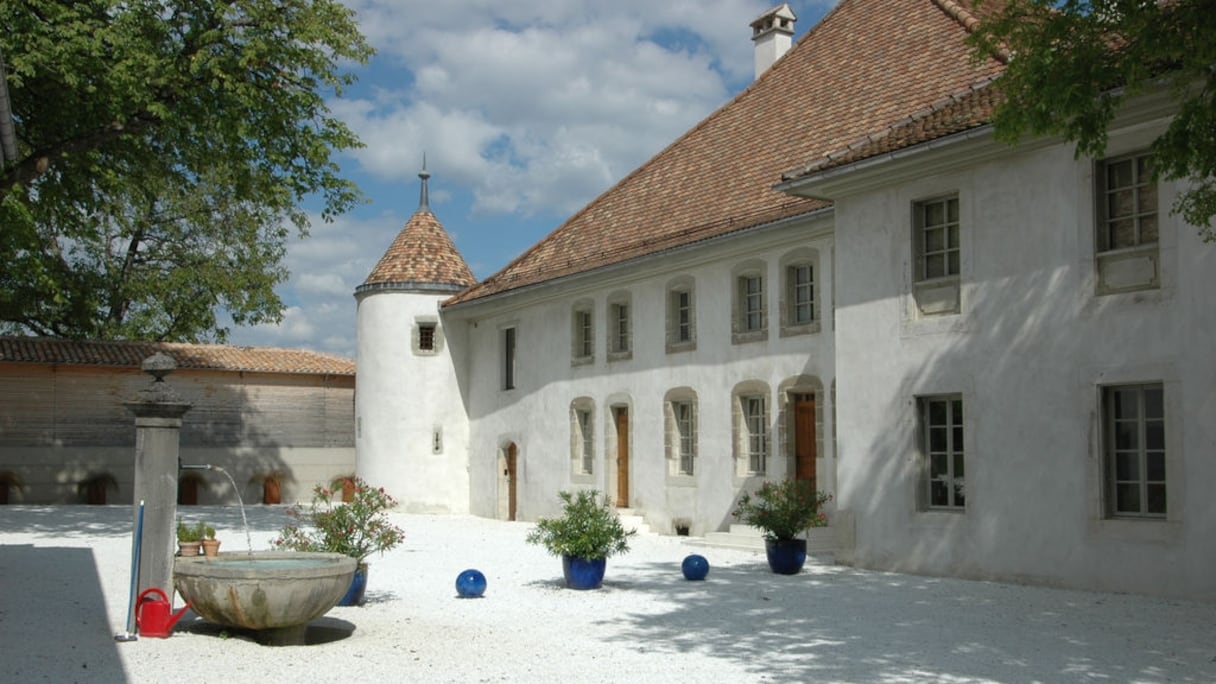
357,529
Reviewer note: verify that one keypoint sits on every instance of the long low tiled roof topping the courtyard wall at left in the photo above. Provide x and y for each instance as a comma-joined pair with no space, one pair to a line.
200,357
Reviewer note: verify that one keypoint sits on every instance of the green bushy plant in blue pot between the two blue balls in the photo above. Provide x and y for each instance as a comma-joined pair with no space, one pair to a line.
584,536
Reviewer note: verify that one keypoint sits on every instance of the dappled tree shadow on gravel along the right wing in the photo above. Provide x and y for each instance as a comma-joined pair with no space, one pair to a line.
832,624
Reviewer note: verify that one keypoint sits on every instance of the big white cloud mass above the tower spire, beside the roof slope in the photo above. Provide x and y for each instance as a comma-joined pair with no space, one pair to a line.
539,106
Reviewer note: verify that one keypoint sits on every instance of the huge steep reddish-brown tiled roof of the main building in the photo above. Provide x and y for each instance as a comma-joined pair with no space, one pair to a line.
868,65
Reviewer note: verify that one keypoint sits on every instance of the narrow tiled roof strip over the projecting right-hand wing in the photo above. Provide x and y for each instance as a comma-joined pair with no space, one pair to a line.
958,114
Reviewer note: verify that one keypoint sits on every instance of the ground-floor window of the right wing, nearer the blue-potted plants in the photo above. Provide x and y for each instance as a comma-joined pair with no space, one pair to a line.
942,428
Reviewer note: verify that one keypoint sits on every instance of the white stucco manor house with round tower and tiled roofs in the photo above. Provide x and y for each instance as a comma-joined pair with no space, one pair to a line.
997,358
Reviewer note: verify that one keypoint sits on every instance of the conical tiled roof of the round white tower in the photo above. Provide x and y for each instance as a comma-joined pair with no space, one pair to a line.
421,257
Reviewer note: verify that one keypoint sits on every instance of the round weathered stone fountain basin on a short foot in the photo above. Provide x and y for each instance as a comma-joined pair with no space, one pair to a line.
264,591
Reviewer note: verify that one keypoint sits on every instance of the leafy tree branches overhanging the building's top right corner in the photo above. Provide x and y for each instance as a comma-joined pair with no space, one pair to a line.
1073,63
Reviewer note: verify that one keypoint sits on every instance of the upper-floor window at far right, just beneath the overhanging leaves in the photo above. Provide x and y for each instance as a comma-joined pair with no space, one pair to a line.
1128,206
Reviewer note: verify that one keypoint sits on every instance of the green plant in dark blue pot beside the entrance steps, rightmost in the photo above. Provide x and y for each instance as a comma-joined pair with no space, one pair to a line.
784,511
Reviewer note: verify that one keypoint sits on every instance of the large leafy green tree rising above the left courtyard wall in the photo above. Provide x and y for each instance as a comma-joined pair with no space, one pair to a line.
164,154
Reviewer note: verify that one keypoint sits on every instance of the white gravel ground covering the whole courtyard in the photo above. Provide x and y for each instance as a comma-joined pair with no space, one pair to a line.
64,596
